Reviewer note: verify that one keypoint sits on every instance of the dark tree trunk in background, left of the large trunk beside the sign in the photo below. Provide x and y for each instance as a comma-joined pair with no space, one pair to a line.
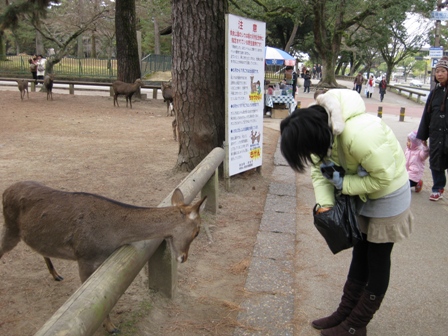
128,63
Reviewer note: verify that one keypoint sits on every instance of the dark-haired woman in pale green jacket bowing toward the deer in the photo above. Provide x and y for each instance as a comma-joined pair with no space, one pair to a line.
337,130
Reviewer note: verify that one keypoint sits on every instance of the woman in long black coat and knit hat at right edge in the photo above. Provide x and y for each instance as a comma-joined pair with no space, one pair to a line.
433,125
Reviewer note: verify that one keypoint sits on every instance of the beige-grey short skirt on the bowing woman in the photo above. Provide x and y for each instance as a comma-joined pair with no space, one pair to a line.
389,229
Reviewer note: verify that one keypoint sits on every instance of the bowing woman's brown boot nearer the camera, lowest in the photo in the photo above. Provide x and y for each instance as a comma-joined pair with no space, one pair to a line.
359,318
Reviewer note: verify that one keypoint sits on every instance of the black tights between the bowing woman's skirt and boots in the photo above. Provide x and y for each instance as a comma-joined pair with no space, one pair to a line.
371,264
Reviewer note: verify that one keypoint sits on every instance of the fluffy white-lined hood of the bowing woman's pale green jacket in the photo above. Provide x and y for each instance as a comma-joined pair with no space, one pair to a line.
341,105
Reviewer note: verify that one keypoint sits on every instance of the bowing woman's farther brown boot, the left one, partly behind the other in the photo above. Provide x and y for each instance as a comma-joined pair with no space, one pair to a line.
351,294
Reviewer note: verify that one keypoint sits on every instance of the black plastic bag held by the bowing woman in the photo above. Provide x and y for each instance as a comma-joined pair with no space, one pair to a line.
339,225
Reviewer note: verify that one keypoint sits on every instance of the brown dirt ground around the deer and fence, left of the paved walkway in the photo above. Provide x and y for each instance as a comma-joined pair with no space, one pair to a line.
83,143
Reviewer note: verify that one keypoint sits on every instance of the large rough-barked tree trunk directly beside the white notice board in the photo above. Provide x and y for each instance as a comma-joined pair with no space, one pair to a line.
198,74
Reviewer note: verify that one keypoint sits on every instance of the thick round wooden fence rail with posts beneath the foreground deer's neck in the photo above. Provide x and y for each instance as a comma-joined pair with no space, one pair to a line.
83,313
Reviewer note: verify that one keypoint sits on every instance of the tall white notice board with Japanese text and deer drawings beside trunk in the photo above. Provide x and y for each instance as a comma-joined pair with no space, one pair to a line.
245,42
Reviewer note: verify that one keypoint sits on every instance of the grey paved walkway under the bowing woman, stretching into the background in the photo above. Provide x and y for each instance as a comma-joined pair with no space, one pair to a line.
294,278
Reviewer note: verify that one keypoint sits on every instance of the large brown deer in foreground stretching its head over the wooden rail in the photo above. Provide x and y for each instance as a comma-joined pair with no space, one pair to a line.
88,227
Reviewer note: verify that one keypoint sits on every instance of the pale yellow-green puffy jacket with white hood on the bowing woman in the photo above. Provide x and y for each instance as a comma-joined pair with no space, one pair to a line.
364,140
